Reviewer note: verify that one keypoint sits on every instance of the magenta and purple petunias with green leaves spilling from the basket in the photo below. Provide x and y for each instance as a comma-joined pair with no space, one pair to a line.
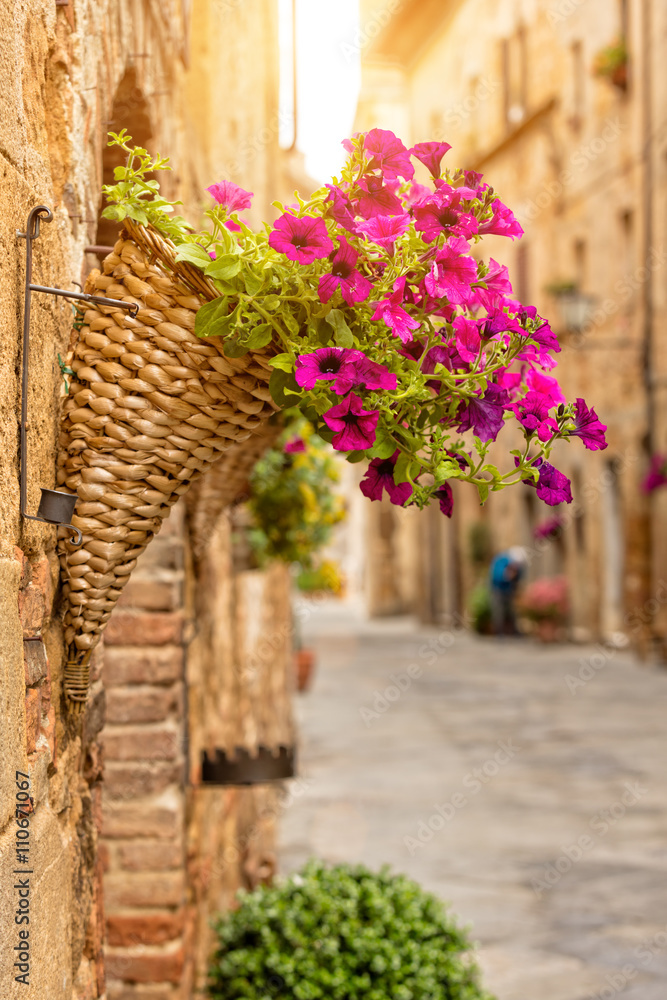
387,327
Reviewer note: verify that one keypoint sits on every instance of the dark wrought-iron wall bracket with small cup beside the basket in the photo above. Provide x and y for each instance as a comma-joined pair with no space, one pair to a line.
55,507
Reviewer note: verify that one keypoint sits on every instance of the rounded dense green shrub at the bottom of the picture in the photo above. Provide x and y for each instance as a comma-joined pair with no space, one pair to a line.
342,933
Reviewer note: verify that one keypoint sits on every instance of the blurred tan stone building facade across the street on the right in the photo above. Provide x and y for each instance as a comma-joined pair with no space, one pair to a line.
580,157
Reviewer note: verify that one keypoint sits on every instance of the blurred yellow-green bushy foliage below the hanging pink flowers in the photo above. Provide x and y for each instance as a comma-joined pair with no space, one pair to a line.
292,502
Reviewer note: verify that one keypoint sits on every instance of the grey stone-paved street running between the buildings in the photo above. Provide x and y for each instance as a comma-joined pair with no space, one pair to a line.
523,783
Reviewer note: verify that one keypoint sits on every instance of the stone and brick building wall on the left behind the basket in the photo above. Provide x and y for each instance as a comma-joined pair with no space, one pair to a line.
197,81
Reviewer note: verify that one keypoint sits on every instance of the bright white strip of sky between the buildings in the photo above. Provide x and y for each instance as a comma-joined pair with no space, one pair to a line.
328,79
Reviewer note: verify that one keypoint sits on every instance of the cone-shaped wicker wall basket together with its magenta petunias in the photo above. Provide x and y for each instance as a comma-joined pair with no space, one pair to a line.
363,306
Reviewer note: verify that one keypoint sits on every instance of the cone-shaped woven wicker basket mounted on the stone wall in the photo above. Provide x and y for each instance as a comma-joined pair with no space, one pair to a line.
151,408
